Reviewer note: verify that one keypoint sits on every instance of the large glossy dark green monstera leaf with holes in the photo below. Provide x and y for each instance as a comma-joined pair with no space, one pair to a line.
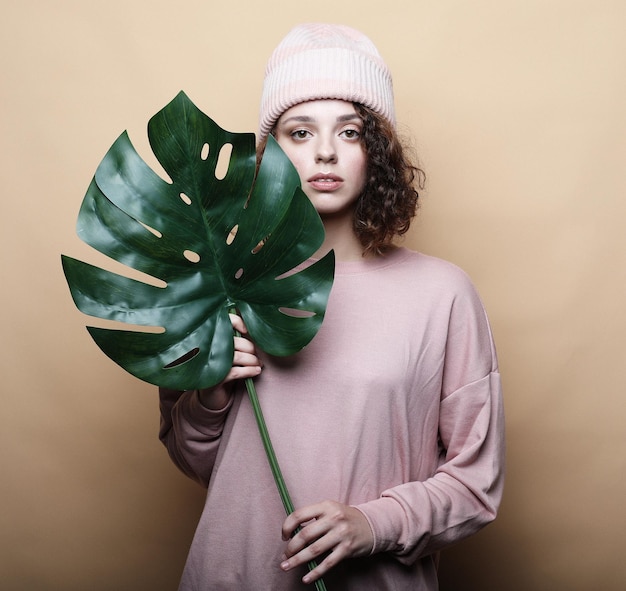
212,242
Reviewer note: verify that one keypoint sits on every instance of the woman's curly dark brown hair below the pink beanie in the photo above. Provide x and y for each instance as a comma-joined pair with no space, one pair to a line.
390,199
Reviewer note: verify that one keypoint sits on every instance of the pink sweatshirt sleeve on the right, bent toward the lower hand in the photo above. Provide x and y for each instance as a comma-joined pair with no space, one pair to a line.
463,495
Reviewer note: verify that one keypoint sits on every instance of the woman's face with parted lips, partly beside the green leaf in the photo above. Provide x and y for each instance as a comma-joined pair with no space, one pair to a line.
322,139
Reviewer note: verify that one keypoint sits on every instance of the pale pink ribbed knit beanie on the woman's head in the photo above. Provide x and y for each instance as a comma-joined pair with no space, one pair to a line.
323,61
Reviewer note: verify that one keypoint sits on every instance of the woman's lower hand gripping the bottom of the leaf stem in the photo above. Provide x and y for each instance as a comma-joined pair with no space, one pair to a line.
331,527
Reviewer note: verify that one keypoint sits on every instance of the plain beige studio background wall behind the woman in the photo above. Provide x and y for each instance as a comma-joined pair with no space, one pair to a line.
518,112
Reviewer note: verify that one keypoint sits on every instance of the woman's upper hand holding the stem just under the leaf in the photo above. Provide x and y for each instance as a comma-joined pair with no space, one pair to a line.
246,364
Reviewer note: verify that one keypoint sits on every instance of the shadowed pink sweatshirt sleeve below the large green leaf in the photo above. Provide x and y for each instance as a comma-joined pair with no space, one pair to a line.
191,432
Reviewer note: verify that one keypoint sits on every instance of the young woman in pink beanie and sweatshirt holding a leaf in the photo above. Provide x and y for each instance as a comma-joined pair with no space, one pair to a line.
388,426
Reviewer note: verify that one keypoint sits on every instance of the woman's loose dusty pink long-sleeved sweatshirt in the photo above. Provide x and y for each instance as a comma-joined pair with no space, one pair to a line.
395,407
